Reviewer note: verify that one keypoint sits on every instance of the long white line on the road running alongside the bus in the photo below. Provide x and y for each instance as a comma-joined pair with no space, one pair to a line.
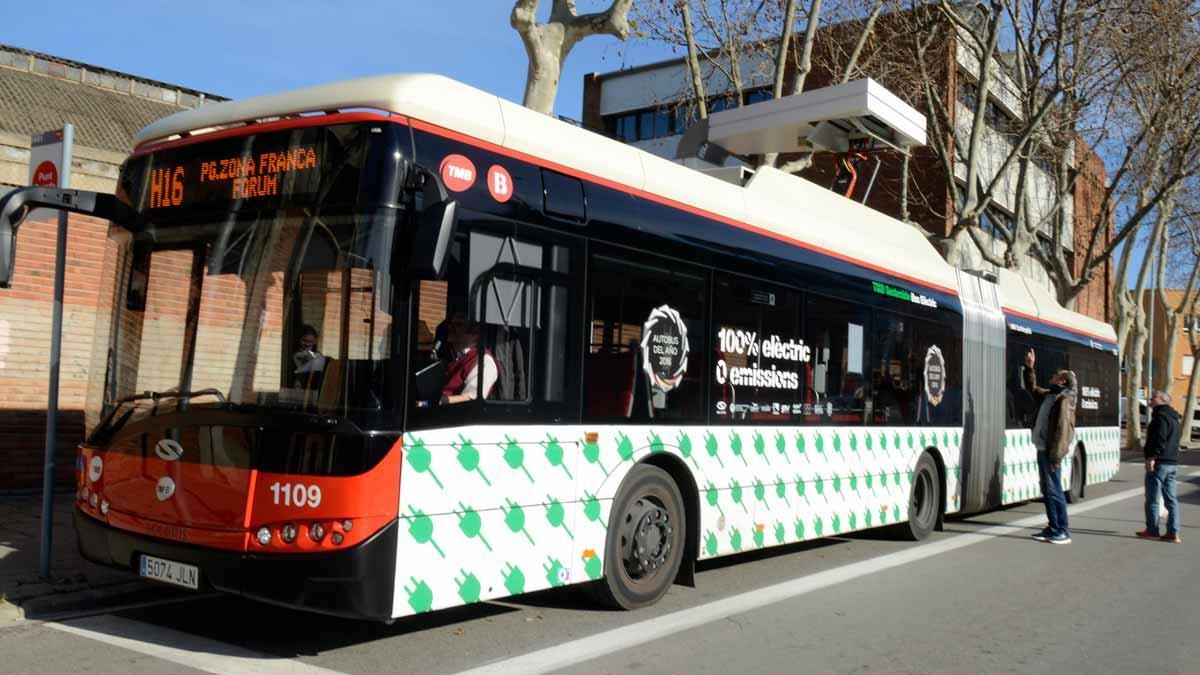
610,642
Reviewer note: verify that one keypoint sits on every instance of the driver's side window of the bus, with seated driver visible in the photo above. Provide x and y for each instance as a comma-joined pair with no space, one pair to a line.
497,330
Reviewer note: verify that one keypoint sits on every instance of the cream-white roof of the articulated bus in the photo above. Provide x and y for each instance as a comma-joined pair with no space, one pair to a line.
781,206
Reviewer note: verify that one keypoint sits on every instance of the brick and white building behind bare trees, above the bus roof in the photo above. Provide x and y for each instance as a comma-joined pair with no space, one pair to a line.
650,107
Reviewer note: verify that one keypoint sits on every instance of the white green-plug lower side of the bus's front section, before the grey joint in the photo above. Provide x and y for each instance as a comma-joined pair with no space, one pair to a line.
489,512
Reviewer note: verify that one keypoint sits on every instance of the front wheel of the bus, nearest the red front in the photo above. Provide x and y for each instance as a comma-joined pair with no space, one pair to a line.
645,548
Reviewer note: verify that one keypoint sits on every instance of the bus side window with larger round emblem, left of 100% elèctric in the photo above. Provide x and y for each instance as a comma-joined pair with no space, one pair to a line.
646,341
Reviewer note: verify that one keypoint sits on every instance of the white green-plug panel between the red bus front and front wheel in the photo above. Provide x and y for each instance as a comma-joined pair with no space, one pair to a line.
488,512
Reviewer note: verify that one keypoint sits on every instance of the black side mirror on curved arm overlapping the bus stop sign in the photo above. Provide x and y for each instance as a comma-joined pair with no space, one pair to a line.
17,205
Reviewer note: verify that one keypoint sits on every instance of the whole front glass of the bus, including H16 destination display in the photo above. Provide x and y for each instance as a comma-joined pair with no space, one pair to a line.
285,307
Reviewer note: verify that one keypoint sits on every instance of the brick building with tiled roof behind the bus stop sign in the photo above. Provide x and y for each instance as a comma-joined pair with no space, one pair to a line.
41,93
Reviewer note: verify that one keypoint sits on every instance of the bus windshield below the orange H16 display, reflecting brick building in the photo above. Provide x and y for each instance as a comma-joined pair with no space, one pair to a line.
293,315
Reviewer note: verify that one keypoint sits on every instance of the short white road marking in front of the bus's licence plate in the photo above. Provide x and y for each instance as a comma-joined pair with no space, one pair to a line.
179,648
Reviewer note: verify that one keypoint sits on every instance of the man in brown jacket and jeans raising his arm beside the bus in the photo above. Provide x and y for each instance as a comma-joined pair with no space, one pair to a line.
1054,432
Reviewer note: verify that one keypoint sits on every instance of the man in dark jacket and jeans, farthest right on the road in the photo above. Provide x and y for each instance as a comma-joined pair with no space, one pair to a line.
1162,463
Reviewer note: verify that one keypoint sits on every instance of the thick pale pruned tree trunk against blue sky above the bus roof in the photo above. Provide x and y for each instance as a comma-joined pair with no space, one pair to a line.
548,45
